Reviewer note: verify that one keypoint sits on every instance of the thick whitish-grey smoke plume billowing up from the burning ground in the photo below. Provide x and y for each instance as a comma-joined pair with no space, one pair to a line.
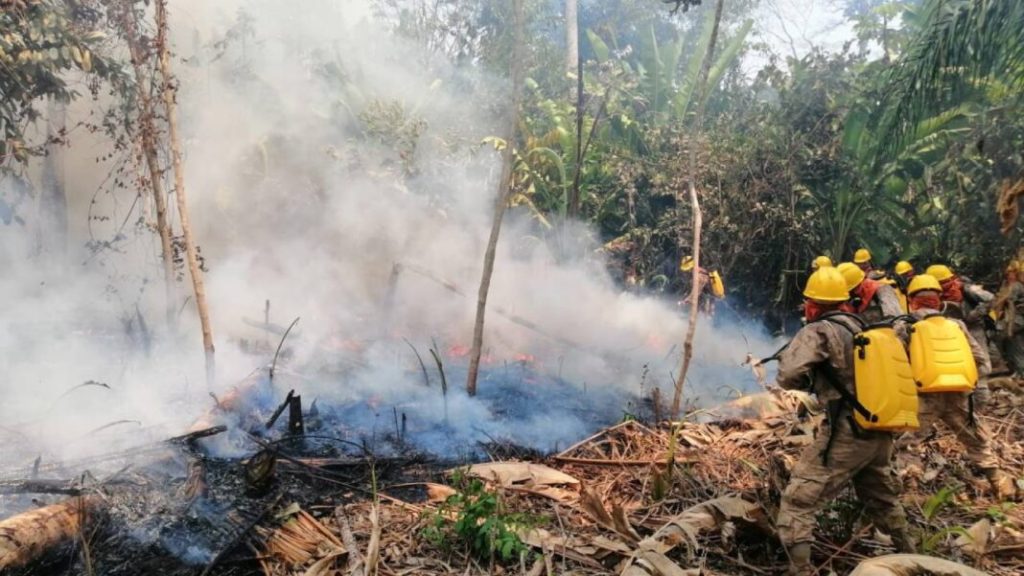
321,152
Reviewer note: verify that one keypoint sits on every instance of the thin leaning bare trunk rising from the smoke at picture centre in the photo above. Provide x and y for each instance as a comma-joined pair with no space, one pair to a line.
500,203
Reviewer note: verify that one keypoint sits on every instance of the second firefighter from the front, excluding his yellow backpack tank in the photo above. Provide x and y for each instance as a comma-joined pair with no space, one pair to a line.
956,409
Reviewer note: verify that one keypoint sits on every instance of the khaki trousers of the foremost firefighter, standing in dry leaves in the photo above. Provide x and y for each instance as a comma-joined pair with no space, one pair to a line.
863,460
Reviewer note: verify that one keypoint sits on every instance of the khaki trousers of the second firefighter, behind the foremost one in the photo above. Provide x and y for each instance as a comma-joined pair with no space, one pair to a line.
953,412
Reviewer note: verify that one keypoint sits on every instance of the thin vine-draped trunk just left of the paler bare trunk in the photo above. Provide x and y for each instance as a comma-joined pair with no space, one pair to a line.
148,130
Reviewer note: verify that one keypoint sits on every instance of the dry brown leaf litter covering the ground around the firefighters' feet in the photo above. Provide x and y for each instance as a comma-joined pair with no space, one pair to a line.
721,493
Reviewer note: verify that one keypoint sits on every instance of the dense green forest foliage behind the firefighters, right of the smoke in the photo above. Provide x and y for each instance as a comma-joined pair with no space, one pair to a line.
797,162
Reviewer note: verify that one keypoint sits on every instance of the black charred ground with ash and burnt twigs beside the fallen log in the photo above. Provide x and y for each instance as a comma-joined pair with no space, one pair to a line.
153,527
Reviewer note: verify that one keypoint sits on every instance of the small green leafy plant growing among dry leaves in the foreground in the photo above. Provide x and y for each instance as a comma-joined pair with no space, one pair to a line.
475,520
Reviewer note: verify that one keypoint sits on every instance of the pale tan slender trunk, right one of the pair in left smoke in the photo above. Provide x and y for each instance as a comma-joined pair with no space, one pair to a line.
180,189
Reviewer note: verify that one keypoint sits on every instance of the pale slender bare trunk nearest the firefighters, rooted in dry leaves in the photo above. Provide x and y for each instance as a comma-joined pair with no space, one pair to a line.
698,217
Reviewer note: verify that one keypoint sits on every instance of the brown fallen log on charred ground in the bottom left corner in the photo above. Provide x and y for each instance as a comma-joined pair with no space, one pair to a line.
28,537
